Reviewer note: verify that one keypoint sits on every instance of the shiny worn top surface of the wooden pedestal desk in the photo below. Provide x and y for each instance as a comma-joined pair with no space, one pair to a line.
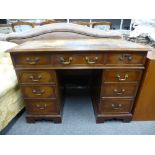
69,45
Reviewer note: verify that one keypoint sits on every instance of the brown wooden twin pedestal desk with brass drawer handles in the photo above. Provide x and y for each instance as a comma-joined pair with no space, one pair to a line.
116,65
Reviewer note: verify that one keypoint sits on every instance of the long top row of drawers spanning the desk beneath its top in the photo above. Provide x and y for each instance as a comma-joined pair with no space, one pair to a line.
86,60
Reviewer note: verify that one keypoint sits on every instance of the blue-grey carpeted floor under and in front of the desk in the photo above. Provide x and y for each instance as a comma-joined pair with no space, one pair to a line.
78,119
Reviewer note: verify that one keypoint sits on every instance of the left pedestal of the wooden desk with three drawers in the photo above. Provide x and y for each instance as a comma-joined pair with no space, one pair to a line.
42,95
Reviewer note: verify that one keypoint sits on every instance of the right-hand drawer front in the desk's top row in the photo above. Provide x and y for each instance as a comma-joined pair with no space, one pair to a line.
125,59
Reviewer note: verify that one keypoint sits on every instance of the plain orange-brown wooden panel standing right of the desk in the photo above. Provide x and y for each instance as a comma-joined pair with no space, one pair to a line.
145,104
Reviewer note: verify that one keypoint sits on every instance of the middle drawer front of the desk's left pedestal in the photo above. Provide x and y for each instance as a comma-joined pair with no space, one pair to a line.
38,91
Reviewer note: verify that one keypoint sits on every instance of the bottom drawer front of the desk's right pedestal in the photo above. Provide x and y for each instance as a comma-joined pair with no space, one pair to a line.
115,106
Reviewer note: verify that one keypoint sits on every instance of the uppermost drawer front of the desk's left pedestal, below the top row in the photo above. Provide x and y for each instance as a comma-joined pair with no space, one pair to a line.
44,77
